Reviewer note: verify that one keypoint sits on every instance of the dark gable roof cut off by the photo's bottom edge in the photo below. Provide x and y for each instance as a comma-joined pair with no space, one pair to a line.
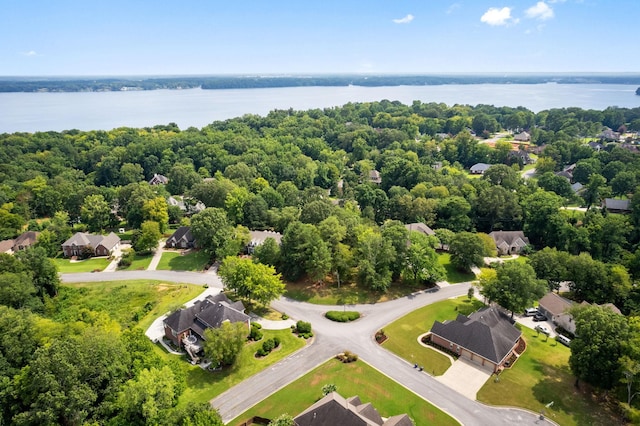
334,410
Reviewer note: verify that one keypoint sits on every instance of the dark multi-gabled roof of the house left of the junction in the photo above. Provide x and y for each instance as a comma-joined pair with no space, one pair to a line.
208,313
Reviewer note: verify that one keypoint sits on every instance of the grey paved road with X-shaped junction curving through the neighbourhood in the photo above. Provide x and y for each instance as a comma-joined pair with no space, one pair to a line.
332,338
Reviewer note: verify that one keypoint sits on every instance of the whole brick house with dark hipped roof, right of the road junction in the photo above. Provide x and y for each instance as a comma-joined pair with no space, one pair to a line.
487,337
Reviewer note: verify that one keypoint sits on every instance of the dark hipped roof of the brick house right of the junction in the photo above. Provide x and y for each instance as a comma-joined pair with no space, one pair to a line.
487,332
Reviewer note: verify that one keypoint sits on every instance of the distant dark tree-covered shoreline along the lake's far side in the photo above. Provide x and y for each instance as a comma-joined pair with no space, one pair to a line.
113,84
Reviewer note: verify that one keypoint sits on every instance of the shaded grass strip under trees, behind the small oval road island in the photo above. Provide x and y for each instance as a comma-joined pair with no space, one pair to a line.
330,294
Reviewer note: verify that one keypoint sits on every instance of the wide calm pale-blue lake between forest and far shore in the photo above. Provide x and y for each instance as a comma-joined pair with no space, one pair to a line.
30,112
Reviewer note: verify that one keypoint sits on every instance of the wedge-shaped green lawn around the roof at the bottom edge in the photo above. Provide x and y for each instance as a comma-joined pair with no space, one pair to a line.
357,378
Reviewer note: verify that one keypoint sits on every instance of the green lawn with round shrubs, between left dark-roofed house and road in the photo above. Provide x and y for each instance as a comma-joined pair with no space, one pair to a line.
204,385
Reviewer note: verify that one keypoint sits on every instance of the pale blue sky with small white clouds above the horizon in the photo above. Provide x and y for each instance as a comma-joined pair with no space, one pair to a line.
160,37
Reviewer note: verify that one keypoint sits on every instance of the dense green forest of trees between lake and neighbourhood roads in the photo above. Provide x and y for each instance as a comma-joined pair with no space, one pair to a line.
312,176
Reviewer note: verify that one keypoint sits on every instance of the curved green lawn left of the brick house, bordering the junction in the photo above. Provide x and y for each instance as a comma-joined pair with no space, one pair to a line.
403,333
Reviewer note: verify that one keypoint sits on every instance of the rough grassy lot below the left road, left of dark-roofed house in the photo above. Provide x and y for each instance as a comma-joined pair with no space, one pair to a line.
129,303
